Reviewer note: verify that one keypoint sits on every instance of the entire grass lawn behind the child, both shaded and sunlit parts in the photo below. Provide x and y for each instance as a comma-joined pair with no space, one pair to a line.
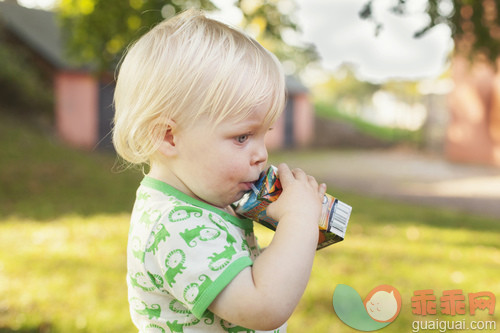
64,223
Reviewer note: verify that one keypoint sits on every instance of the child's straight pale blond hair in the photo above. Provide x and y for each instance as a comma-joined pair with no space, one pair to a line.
186,67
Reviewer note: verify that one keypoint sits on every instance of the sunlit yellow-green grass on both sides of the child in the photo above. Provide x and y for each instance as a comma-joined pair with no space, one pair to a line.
69,275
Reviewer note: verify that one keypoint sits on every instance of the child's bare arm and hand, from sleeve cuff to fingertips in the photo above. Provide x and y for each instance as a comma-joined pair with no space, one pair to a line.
264,295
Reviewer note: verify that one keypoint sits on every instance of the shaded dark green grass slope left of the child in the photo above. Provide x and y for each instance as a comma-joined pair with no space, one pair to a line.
42,179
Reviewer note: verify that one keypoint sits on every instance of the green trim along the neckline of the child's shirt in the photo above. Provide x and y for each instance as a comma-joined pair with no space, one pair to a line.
163,187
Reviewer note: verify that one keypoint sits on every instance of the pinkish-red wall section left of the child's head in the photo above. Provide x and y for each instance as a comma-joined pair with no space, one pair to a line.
76,108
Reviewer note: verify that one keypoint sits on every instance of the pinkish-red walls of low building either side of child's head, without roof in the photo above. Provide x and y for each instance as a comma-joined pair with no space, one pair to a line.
82,114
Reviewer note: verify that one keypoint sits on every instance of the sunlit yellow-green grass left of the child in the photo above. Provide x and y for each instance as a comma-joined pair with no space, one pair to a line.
64,276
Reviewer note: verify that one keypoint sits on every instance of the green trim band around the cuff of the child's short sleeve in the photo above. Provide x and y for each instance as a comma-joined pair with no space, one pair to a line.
220,283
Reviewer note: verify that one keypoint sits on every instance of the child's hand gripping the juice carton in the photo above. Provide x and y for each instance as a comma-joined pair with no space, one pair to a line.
301,197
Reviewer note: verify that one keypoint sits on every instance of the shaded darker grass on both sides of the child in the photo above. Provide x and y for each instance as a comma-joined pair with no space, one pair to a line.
43,179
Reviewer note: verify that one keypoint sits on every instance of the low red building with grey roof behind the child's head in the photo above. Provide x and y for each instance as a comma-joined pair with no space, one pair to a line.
84,103
